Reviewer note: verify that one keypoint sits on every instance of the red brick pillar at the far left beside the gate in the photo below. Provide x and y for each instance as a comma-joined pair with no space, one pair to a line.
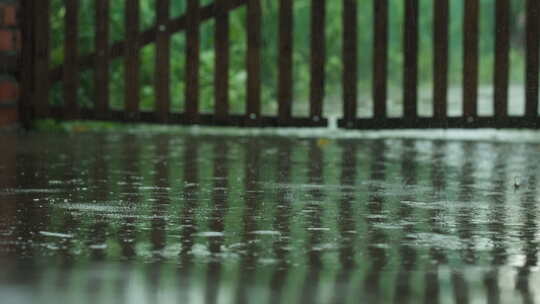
10,45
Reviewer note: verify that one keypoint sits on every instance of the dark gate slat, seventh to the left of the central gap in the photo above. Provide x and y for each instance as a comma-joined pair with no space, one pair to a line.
132,60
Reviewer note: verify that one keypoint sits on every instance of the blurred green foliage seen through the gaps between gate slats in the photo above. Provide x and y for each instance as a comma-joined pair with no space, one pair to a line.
270,50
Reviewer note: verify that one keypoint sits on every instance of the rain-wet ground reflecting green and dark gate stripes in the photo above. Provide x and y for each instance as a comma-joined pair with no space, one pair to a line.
122,218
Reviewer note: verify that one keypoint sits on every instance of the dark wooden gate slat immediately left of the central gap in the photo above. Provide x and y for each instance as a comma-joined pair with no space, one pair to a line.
317,59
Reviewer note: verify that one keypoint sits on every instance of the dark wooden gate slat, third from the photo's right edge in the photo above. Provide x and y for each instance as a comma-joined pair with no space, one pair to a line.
470,57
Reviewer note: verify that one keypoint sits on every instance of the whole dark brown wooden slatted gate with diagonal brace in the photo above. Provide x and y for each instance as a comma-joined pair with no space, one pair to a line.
38,75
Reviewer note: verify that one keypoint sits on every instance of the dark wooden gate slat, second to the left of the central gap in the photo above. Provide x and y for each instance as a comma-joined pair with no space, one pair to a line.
285,61
